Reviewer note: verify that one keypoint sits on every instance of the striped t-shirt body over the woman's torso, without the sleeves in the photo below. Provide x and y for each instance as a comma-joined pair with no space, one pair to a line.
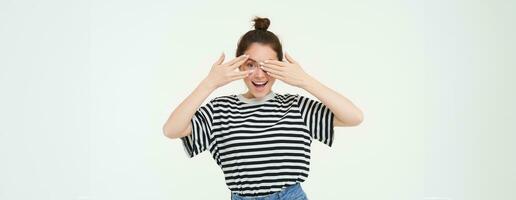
262,145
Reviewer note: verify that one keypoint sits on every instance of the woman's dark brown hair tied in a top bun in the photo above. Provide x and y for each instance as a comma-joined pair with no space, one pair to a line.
261,35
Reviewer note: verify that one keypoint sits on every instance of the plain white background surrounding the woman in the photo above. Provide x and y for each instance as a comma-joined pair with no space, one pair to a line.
86,86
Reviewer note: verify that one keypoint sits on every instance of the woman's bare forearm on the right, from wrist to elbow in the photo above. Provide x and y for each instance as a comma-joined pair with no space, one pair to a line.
345,111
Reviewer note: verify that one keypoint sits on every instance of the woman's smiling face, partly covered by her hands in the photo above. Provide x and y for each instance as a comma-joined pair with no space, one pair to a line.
259,83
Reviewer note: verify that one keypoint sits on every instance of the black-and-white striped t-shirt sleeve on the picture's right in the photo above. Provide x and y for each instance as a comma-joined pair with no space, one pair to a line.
318,118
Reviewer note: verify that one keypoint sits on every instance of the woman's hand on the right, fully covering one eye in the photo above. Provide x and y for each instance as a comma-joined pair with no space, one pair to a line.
289,72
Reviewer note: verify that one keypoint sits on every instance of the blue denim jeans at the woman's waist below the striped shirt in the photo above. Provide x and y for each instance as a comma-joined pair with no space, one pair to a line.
293,192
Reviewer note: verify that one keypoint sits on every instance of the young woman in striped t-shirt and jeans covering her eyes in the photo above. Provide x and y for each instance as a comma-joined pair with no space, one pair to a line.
260,139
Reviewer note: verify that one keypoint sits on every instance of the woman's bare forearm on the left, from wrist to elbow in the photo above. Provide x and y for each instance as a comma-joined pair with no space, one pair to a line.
178,123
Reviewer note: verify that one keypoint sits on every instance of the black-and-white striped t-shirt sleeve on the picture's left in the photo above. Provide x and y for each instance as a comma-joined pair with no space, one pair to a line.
201,137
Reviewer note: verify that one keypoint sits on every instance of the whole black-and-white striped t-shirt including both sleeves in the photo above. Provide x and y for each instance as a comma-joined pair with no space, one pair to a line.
261,145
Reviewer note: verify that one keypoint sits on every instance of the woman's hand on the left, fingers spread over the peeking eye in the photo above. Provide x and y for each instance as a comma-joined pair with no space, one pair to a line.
222,74
